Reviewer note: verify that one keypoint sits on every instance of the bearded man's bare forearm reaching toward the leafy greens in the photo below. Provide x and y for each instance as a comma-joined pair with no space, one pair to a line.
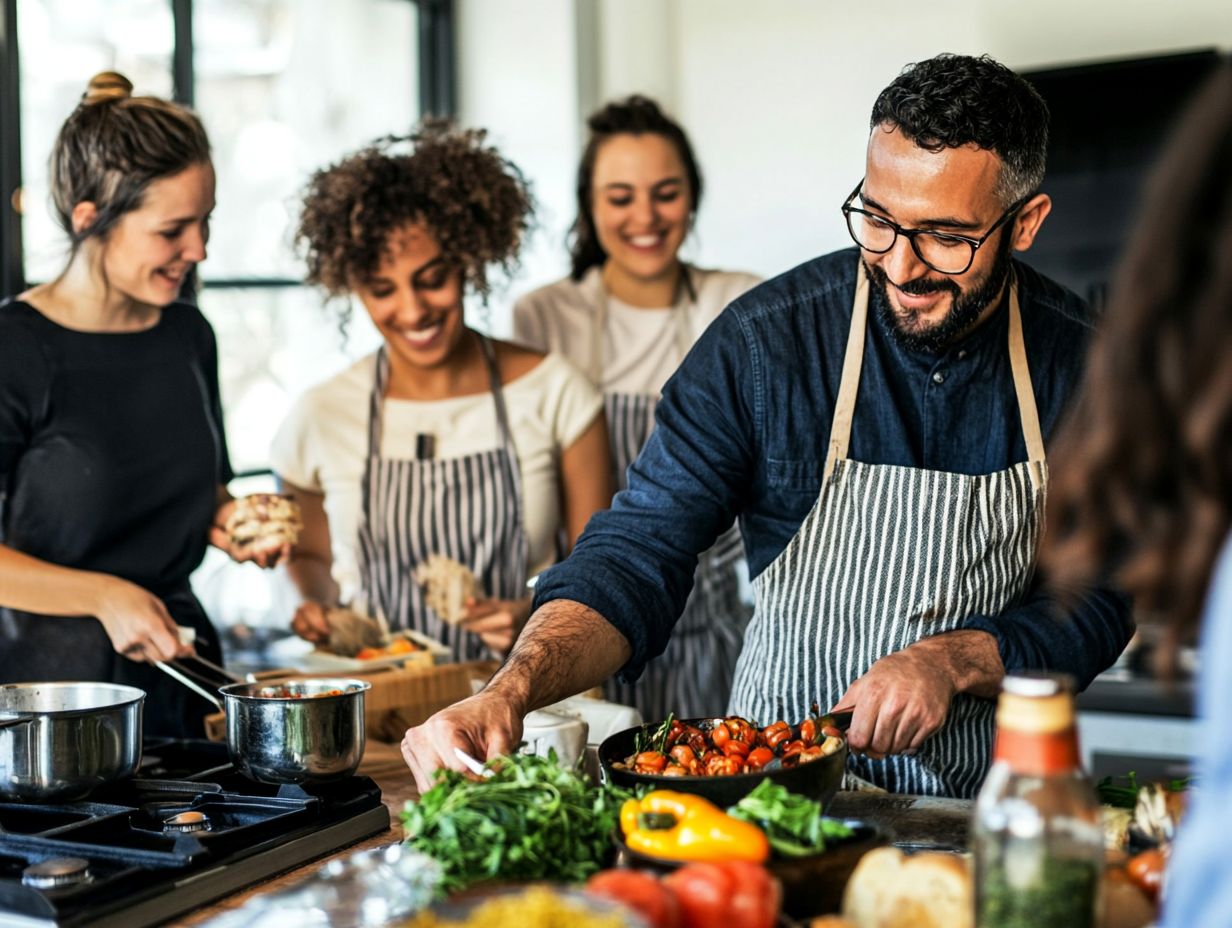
565,649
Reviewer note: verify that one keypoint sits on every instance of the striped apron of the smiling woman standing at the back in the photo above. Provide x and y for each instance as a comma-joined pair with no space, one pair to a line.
693,677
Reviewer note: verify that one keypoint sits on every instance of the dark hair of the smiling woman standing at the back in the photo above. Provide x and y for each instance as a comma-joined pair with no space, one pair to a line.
635,116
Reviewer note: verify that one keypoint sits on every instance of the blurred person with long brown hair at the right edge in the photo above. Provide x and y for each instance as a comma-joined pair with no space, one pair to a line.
1146,487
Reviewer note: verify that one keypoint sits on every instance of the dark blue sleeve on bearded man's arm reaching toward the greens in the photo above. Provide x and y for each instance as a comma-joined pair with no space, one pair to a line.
635,563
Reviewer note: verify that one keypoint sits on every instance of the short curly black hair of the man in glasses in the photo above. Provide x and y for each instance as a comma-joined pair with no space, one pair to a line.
955,100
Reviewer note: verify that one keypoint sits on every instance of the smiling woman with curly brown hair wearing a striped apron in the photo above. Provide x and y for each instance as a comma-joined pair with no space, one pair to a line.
444,442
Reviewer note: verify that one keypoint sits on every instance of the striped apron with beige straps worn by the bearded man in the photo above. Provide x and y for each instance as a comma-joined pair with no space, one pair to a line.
888,556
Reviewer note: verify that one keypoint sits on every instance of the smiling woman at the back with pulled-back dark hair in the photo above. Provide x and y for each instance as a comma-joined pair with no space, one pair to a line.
630,311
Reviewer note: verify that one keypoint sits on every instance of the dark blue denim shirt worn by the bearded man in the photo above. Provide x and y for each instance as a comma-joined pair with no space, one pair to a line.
744,428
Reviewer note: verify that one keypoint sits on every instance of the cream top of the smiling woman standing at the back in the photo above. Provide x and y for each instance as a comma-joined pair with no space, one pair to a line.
640,347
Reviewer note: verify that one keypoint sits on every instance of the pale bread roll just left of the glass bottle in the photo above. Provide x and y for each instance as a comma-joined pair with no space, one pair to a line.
926,890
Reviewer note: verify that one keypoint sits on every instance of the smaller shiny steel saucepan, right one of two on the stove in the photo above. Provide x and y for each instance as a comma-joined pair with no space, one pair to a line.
302,738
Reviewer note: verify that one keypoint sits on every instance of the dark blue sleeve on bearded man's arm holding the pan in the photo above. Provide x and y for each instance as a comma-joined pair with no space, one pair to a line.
1081,635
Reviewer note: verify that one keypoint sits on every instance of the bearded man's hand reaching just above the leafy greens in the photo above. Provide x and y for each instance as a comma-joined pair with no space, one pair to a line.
485,727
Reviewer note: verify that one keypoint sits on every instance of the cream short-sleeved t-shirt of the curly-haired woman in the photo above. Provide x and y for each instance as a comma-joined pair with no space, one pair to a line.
323,442
